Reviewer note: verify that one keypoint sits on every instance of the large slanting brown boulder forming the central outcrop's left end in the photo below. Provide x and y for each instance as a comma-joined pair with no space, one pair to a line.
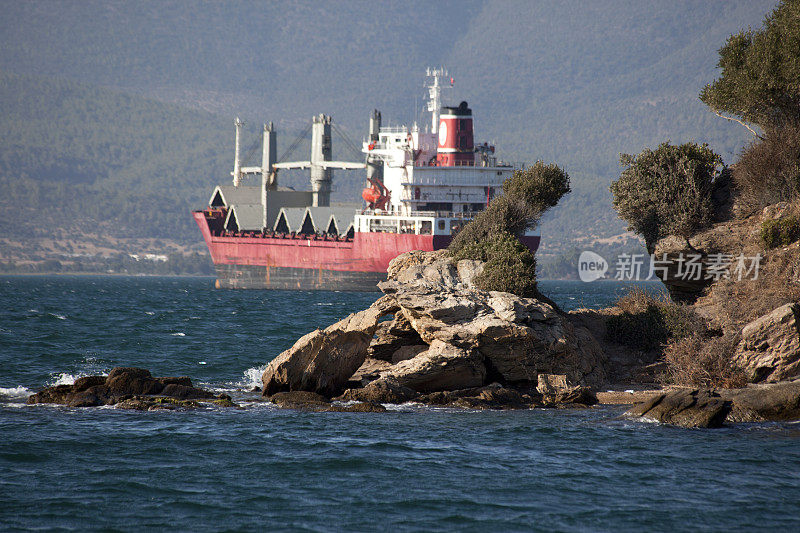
323,360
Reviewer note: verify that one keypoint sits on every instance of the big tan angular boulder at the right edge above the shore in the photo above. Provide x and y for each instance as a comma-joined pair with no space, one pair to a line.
770,346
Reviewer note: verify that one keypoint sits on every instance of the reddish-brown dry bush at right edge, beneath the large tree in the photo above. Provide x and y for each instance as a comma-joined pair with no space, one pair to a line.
768,171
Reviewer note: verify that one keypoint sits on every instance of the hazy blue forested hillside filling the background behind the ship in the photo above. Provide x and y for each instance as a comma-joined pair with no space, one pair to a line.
565,82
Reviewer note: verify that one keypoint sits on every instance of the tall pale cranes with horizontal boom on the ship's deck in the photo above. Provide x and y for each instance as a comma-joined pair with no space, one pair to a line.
320,163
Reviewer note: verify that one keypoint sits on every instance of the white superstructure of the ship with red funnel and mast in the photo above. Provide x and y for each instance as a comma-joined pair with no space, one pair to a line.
434,180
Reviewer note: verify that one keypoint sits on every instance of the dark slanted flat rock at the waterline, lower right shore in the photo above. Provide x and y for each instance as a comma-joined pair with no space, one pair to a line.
686,408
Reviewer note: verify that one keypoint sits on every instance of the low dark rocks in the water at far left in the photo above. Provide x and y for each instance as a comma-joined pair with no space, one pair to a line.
132,388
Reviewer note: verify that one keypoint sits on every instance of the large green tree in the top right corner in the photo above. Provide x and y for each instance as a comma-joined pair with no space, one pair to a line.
760,72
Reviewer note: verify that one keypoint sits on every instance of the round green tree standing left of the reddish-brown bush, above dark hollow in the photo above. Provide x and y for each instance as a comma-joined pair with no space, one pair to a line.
667,191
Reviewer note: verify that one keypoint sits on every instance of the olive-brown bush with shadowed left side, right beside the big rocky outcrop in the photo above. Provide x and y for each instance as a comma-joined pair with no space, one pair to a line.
648,322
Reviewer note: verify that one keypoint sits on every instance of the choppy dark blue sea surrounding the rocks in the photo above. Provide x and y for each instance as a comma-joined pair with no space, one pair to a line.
264,469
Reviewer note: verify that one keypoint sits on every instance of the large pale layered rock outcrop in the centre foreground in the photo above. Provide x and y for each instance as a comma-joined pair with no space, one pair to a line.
445,335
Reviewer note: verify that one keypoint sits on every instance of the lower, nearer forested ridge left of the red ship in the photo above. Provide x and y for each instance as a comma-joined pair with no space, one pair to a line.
86,159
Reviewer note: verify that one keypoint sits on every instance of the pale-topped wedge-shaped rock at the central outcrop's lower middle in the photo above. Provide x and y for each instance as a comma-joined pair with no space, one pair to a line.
441,367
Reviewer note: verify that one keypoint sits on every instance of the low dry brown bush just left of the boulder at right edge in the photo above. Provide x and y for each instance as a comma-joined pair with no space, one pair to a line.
701,361
